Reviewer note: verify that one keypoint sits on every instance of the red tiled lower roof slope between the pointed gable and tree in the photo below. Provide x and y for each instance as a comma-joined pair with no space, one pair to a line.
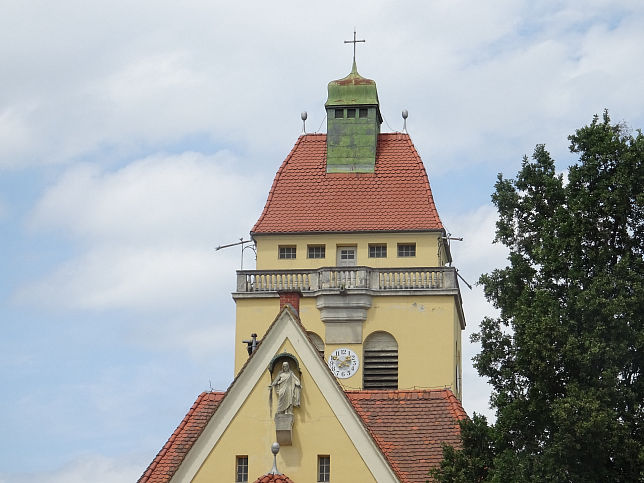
409,426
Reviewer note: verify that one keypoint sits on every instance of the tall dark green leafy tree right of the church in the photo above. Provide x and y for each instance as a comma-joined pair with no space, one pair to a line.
564,357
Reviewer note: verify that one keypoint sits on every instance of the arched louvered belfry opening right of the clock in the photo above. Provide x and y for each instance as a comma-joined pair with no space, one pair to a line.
380,369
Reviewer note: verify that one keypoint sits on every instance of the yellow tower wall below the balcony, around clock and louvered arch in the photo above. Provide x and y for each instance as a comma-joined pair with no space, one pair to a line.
426,329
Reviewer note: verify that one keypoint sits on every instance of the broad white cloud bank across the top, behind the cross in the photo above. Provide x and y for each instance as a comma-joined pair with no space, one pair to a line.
469,72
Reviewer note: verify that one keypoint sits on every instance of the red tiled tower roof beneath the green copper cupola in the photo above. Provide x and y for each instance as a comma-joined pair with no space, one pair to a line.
305,198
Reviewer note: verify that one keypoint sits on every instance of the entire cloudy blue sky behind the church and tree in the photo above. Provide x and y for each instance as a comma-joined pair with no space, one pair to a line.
134,138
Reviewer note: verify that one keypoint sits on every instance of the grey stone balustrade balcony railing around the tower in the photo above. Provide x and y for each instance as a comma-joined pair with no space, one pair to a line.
347,278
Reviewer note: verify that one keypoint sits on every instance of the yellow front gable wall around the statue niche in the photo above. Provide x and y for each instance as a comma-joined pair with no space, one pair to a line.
316,431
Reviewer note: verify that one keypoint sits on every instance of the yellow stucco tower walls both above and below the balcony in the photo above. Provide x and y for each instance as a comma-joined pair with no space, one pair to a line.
426,327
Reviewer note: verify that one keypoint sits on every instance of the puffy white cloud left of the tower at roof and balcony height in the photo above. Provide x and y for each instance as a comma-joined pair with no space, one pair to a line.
146,233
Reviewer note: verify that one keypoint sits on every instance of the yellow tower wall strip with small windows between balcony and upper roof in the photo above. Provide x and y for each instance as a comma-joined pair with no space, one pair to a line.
428,253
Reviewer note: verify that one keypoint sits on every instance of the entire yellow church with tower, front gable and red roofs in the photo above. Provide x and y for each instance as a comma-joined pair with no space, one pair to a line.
352,317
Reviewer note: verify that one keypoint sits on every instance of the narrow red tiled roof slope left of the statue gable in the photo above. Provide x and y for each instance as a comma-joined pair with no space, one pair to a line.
167,461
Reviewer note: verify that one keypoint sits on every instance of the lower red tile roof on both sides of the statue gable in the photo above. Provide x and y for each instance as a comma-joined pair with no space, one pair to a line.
408,426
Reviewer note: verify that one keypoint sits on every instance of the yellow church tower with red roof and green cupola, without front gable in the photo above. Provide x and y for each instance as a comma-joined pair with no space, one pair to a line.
350,236
